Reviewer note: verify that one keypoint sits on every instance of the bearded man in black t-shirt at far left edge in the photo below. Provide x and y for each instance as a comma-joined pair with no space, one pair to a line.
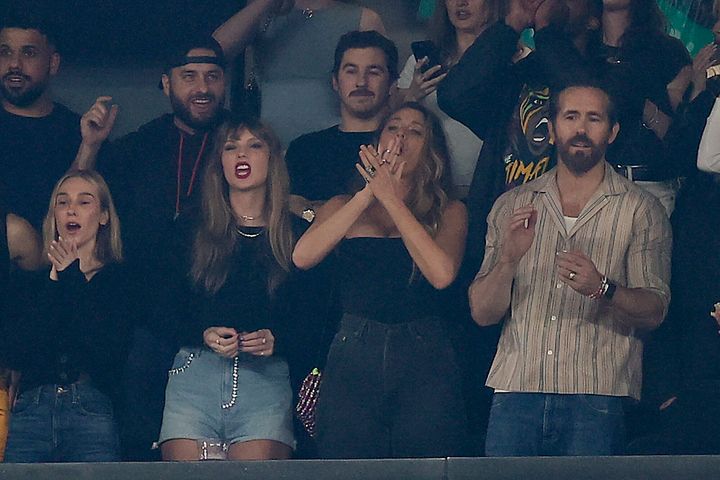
39,137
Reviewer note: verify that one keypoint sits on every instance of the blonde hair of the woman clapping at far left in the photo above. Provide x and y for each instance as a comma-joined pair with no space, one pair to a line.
108,244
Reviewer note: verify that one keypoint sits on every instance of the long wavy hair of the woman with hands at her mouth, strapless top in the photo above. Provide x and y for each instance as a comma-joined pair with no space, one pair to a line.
430,185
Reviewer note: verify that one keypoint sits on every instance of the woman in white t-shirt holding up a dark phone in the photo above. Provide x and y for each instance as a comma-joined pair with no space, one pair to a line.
454,27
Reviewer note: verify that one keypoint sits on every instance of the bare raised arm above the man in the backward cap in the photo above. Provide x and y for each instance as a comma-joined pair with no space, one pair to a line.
238,31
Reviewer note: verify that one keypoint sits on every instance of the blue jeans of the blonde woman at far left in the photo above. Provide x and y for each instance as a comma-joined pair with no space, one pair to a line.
62,424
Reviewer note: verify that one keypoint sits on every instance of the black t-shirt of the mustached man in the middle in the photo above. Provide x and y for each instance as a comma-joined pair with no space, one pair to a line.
322,164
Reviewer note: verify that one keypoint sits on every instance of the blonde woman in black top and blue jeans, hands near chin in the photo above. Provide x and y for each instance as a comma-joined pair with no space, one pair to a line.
70,354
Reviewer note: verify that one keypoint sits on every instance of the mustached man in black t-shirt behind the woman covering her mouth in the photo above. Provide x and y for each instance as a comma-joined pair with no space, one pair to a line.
322,164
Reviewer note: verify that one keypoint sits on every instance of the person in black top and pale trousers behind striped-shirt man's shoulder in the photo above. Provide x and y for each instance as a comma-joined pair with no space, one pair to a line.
647,72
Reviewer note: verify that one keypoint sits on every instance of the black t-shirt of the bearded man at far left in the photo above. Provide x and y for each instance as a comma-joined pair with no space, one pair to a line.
34,154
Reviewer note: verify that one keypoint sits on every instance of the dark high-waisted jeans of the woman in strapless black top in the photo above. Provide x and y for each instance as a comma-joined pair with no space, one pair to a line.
391,391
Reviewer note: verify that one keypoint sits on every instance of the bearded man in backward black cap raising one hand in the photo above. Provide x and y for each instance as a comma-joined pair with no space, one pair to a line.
154,174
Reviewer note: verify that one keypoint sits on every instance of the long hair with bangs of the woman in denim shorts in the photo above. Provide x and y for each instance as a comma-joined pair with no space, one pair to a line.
216,237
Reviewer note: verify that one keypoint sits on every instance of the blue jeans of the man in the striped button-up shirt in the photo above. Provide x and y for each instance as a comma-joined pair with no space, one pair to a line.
539,424
